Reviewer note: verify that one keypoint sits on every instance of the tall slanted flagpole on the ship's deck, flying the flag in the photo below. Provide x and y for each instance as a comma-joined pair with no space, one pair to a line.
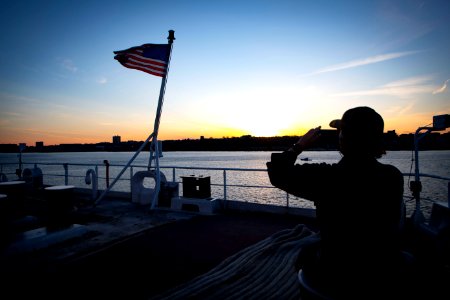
154,147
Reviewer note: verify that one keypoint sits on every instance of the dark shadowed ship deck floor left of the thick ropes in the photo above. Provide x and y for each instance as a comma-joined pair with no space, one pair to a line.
119,250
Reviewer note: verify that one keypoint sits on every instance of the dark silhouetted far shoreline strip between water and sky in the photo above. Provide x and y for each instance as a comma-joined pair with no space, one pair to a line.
328,142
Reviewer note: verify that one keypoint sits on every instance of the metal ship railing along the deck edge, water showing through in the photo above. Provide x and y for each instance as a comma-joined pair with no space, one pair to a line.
221,184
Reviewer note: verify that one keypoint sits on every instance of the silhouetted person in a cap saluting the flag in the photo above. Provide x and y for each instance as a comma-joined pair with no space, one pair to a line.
359,206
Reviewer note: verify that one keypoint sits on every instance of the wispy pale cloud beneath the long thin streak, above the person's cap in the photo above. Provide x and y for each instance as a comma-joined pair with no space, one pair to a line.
400,88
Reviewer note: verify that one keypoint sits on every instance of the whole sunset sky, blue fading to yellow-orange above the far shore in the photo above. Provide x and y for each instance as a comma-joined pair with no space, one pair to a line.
262,68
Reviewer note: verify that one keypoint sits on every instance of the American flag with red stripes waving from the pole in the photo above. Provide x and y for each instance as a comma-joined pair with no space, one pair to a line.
149,58
